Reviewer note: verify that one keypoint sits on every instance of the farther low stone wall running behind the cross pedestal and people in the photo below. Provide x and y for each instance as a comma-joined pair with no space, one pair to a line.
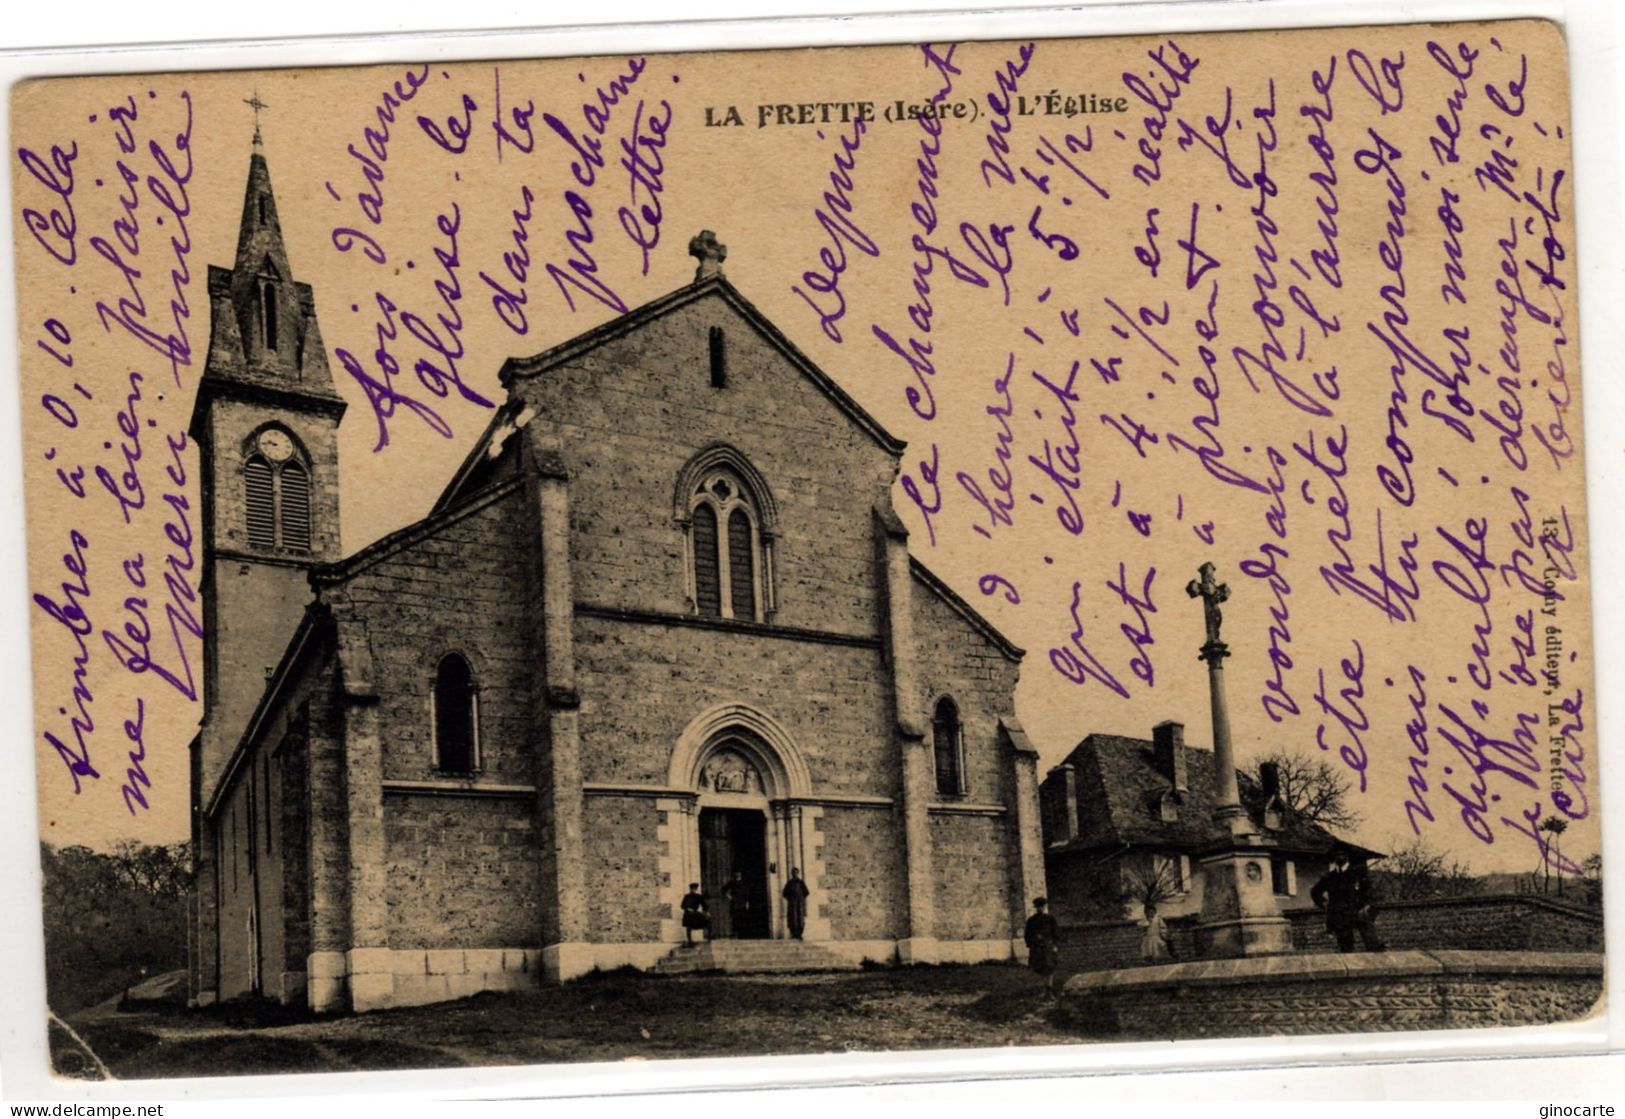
1507,922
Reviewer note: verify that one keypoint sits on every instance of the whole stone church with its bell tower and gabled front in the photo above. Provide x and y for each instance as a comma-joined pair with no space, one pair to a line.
661,628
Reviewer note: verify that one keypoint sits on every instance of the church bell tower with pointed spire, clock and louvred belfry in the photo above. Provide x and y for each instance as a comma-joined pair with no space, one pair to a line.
266,423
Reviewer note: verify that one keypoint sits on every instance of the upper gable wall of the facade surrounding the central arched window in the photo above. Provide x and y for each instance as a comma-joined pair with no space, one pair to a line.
636,410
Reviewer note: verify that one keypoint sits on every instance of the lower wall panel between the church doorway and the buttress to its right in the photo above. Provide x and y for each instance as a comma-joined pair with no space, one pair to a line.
864,875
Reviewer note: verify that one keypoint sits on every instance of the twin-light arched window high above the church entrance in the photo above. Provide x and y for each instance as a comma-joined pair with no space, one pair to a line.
726,548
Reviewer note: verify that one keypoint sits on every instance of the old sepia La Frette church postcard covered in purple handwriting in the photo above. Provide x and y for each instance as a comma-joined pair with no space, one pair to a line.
943,545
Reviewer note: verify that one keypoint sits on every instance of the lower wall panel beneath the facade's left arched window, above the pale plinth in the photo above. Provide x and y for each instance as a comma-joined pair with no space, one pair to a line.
462,873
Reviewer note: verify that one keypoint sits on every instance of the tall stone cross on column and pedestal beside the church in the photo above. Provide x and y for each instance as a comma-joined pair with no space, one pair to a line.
1241,915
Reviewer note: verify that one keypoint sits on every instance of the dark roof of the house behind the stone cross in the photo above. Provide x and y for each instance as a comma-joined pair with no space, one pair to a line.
1120,792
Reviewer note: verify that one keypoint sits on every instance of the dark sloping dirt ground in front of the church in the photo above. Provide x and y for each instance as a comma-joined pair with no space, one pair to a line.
602,1017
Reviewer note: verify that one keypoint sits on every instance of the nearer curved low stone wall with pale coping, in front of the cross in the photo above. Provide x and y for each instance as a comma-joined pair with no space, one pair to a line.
1296,995
